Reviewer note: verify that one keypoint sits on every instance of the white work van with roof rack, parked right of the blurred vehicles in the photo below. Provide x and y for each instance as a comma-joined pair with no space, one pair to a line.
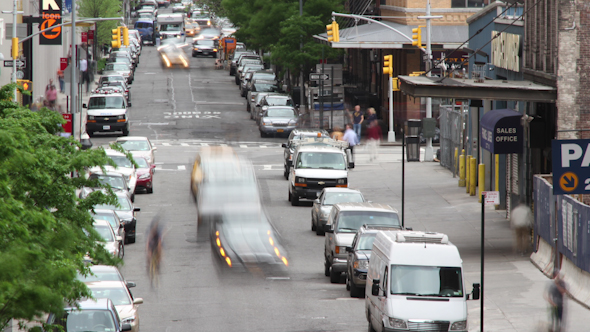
316,167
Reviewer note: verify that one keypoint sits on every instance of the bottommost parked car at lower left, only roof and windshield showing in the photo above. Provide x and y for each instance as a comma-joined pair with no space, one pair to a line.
89,315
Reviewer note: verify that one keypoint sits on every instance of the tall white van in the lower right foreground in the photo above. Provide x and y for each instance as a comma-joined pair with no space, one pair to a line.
415,283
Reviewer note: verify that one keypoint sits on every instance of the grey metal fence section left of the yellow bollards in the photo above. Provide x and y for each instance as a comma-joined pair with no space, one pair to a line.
451,125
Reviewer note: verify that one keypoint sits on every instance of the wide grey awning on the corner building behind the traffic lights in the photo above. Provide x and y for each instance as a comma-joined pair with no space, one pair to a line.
372,35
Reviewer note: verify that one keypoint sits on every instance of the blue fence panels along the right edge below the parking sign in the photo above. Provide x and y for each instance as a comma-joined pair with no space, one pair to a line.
571,219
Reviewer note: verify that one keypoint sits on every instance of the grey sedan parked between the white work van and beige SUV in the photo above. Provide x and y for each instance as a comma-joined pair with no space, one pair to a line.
322,206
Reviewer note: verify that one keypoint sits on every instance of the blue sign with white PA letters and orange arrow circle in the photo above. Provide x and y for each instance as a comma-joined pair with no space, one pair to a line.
571,166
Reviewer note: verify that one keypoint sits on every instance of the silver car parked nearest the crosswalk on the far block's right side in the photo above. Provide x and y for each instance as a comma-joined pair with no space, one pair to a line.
278,120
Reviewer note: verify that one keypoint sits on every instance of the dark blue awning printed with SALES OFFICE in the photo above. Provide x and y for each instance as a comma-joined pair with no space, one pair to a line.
502,132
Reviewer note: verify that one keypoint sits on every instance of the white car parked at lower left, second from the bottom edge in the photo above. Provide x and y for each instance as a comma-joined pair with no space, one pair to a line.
127,307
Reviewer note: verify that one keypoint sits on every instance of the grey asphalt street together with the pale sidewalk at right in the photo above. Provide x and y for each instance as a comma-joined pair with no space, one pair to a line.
184,110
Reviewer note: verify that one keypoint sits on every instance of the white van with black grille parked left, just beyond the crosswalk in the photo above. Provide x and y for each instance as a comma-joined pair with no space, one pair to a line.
107,112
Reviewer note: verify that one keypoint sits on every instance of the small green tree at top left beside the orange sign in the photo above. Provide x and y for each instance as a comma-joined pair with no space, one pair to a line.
101,8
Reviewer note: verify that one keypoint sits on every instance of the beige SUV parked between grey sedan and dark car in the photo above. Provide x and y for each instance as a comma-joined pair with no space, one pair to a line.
343,223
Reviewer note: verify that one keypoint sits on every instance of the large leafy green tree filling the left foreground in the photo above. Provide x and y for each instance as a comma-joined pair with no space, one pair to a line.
45,229
